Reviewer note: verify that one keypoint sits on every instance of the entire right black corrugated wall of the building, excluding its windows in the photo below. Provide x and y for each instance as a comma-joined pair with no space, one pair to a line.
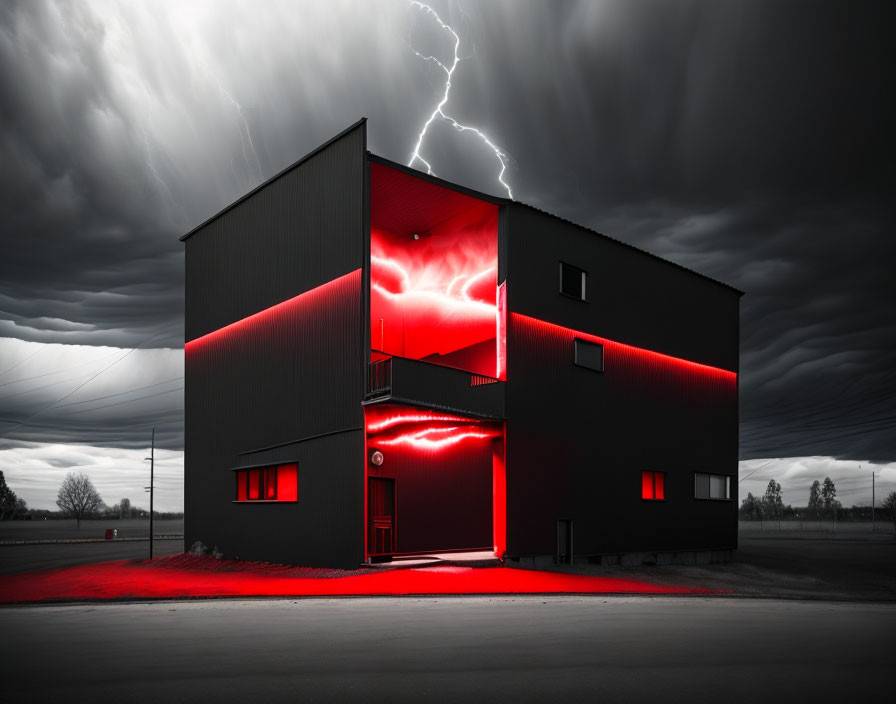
577,439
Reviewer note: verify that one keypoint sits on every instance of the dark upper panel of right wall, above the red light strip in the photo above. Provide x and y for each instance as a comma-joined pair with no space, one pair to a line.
630,296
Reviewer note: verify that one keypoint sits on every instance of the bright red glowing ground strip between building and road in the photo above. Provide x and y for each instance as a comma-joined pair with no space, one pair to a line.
186,577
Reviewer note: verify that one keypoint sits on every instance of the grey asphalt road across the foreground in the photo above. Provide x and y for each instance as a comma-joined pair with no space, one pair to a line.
515,649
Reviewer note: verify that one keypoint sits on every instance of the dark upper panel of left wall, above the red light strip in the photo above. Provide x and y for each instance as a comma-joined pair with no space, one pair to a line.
297,232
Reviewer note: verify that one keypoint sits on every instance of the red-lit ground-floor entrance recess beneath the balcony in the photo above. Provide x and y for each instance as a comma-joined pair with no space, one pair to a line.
449,477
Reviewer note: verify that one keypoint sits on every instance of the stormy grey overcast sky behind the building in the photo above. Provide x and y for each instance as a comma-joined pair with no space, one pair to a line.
751,141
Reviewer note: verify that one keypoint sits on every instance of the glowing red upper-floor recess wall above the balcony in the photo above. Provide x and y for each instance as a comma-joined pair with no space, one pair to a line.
433,274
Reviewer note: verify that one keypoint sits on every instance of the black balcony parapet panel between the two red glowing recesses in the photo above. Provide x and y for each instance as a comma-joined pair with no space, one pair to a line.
420,383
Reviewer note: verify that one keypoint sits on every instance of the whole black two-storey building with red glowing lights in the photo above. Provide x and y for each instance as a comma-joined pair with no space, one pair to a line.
379,362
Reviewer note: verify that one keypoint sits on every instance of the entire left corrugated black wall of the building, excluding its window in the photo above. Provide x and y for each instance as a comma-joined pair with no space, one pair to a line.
285,385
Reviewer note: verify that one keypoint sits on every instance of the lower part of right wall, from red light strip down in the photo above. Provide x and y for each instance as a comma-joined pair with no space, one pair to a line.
578,439
